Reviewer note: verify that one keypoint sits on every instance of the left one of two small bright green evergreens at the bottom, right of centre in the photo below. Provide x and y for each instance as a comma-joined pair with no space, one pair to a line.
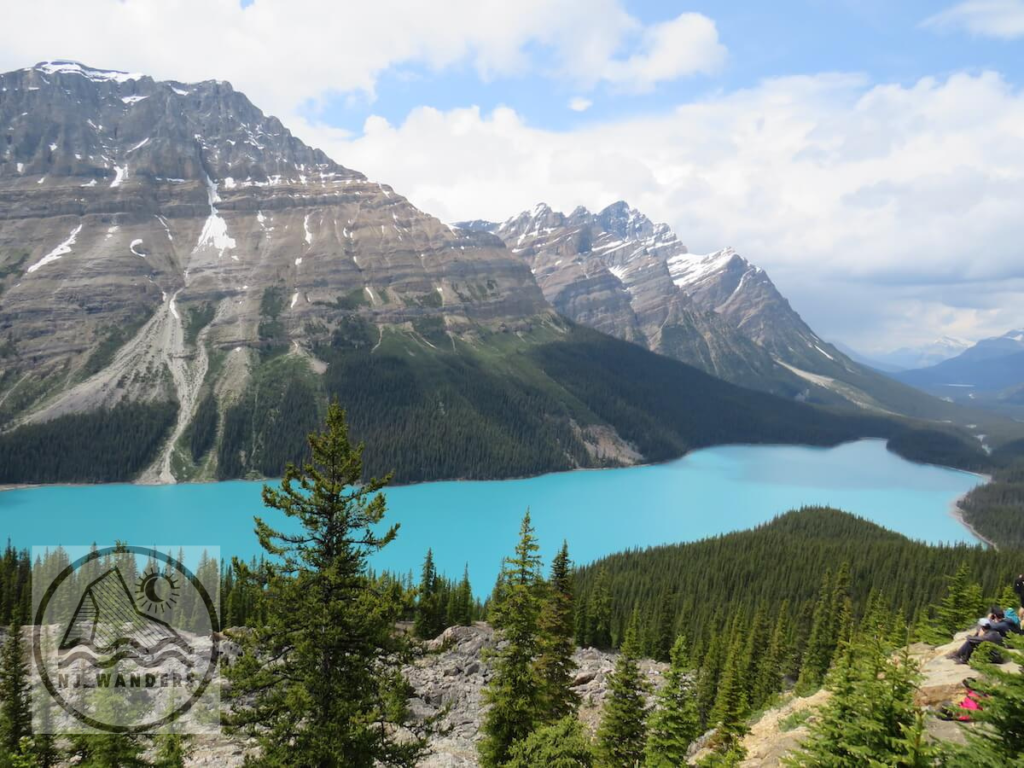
623,733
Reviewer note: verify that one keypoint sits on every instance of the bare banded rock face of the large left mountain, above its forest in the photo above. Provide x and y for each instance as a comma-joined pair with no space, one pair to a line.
146,226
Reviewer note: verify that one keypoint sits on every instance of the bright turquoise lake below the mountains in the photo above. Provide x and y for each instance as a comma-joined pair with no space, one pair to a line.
599,513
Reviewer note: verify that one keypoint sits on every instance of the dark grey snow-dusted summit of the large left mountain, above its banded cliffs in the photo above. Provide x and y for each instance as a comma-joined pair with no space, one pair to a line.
66,120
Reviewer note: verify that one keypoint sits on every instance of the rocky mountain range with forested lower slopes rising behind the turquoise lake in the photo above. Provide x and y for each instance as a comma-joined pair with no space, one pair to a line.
184,284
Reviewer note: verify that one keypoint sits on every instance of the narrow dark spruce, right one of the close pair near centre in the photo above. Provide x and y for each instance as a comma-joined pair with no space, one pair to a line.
556,667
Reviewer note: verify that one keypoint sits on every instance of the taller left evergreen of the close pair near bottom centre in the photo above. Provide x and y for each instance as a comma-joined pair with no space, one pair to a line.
515,691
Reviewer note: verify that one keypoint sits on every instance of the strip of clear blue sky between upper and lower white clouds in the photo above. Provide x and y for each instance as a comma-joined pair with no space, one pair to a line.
886,41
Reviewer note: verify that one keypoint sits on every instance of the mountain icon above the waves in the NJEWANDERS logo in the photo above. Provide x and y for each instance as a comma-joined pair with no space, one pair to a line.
108,627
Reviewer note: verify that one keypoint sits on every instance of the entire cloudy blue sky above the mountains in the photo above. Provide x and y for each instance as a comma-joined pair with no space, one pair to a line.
869,154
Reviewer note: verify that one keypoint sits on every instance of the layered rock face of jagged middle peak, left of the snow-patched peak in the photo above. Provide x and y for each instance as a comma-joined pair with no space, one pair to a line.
610,271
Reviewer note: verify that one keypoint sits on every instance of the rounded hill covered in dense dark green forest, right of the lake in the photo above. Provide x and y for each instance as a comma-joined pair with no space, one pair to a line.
777,571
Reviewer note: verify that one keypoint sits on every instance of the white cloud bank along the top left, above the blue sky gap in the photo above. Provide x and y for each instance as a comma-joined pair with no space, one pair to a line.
284,54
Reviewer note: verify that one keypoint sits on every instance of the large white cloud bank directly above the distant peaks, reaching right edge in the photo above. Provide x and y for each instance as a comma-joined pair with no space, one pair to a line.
905,199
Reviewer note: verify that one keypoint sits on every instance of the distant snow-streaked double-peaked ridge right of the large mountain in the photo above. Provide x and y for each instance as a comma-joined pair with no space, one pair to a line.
620,273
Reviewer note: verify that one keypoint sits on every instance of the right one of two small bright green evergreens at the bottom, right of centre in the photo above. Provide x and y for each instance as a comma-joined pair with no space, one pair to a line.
676,721
